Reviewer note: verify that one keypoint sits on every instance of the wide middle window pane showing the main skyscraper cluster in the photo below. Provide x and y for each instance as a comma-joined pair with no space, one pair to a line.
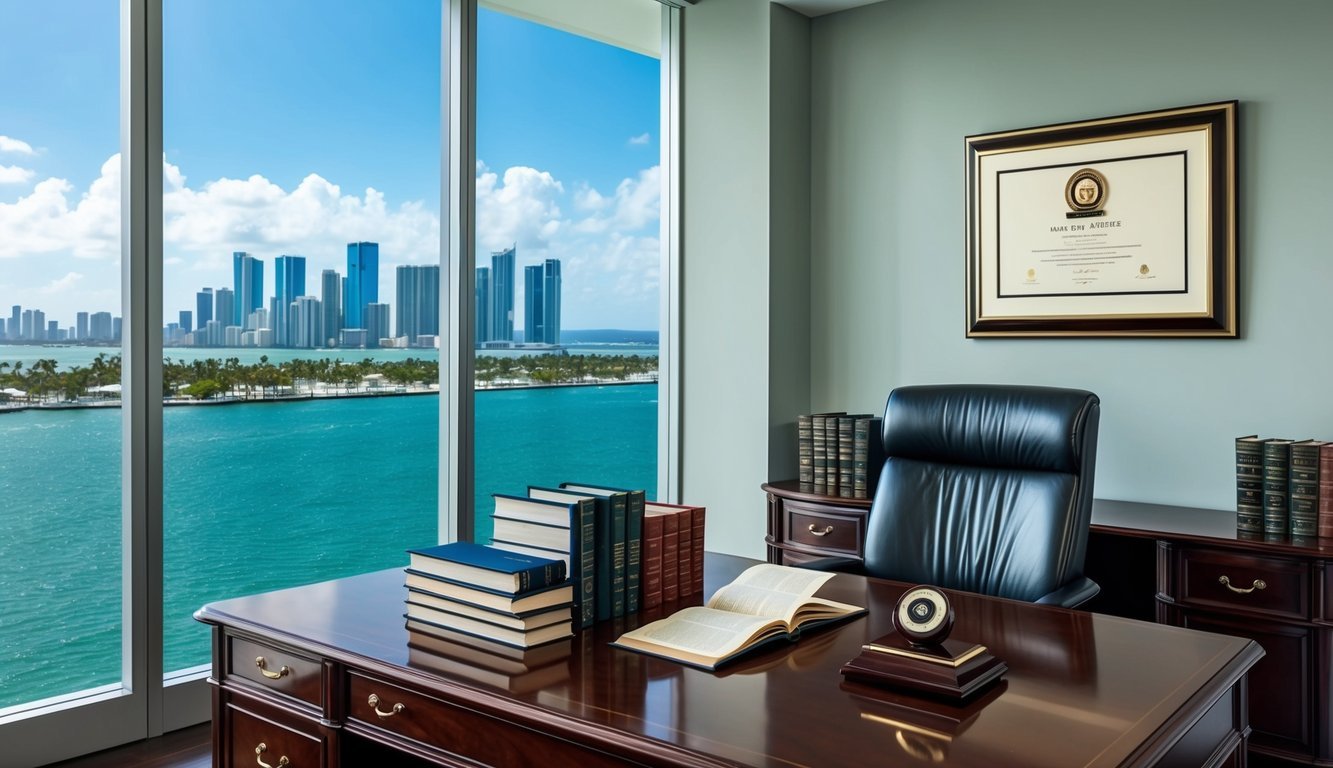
301,295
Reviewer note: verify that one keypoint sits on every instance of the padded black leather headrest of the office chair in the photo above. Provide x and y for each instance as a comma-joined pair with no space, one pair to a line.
991,426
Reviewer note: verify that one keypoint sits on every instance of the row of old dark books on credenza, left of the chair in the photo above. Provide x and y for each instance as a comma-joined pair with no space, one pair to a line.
839,454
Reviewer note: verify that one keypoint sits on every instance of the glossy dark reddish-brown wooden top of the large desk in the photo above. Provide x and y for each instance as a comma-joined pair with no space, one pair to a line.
1082,689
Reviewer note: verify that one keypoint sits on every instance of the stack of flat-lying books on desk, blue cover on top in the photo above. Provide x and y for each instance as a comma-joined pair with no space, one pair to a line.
486,593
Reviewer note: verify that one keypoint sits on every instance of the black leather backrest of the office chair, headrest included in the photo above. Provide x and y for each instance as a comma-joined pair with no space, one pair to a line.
984,489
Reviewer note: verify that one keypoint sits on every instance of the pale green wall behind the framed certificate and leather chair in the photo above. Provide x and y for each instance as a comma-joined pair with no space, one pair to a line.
898,86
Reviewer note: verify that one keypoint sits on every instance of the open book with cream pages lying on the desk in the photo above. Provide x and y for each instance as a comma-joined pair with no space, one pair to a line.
764,603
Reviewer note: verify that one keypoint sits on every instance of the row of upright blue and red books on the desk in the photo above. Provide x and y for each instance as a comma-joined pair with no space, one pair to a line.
623,553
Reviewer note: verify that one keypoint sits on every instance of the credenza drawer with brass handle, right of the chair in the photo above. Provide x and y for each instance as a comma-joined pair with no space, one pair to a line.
1272,586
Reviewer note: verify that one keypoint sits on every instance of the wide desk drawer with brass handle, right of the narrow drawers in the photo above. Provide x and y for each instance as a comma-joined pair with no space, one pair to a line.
458,731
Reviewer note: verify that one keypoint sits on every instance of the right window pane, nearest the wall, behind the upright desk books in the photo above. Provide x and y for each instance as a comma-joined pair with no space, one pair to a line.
569,250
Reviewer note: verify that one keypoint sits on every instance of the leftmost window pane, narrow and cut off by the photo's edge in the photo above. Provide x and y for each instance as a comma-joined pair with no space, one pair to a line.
61,441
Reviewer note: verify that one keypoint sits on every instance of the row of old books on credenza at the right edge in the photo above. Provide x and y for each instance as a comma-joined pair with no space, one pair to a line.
1284,487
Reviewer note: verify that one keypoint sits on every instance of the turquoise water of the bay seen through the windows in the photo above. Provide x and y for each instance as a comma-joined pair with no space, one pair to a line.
262,497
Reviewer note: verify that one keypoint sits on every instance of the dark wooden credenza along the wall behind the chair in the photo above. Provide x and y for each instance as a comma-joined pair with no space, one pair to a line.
1178,566
